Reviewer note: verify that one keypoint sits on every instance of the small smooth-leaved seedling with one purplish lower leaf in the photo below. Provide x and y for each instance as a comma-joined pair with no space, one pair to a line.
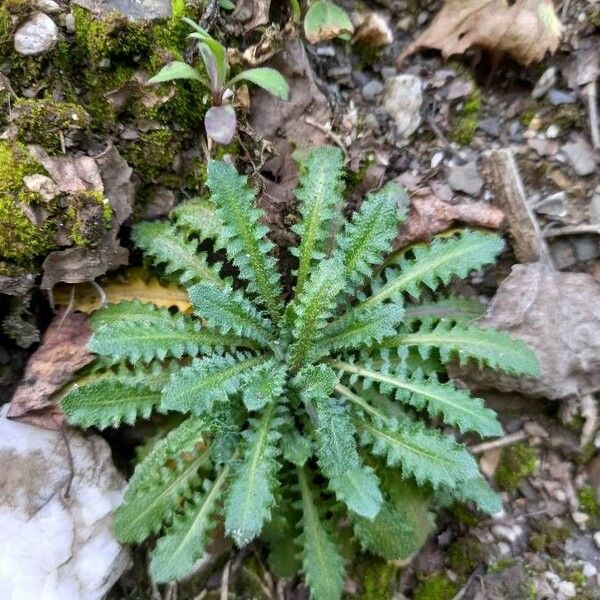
220,120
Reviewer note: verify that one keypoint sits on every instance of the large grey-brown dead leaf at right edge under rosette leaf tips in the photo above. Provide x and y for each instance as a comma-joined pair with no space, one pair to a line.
558,316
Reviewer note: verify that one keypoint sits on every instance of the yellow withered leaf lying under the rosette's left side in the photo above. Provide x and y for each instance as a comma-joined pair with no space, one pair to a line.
133,284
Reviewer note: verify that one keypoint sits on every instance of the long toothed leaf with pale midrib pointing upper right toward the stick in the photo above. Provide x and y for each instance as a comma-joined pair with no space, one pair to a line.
434,264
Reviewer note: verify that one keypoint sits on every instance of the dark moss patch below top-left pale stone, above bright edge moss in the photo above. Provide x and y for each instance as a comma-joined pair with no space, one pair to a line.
43,121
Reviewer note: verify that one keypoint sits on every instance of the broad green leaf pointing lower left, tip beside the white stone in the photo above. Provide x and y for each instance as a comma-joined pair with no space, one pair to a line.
155,490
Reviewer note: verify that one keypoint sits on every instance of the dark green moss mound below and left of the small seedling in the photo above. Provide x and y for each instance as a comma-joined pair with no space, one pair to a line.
152,156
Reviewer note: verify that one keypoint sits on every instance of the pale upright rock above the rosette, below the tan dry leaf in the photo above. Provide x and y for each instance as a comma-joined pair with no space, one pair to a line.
402,101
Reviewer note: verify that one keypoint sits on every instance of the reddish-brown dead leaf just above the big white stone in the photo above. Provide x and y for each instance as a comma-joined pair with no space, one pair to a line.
63,351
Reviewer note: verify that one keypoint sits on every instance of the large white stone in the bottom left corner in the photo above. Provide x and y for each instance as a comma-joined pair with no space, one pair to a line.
54,546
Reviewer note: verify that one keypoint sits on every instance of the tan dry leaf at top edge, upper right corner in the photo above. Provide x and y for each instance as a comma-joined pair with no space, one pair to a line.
526,30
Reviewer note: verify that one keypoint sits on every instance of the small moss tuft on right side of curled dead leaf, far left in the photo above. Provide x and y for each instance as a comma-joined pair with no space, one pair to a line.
88,216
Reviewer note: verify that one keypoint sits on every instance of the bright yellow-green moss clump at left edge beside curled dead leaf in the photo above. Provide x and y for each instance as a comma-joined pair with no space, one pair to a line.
20,240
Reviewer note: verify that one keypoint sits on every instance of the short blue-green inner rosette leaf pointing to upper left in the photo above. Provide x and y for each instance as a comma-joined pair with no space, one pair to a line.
227,310
